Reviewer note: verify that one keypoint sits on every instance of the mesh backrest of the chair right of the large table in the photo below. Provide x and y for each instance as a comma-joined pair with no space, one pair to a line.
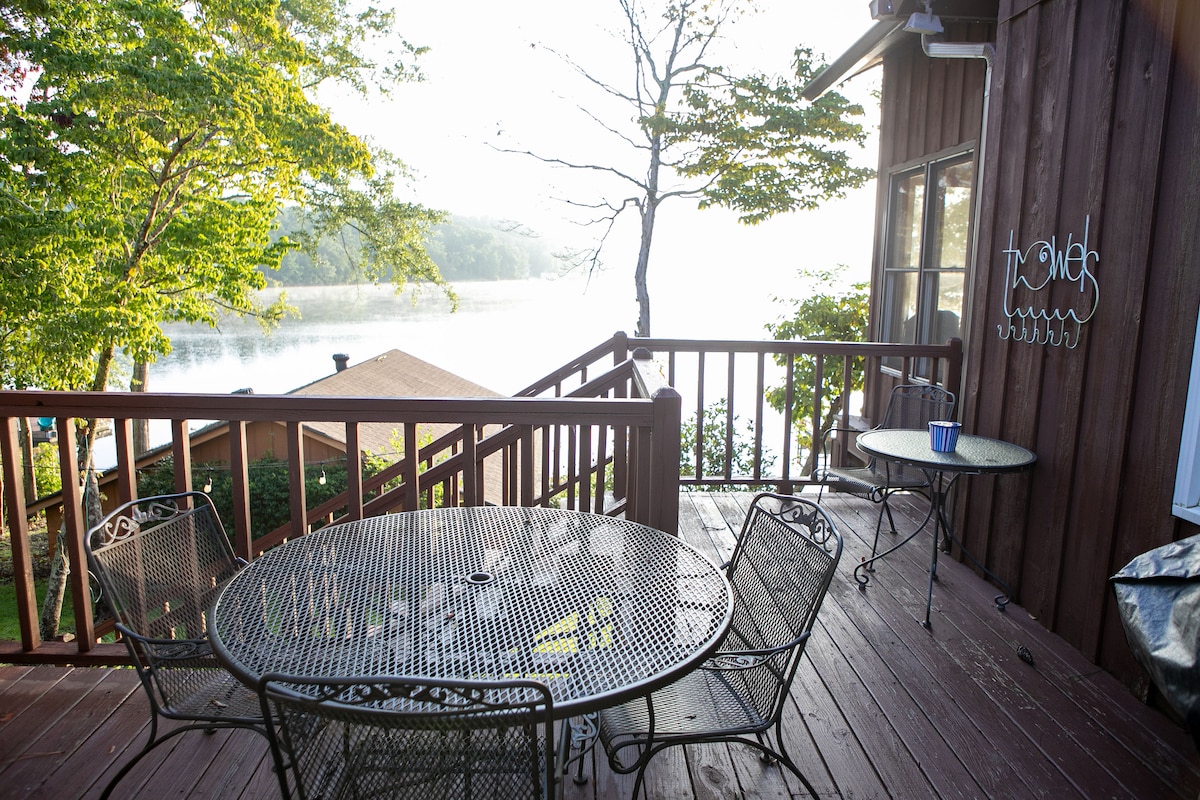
781,570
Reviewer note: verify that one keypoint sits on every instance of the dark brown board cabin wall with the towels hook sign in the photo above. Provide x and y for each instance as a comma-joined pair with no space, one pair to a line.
1094,131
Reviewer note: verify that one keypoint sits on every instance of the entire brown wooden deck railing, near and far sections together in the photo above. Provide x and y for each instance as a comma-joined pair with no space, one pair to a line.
602,434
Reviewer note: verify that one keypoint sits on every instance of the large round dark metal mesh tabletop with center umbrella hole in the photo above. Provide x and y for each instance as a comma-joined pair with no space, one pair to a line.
598,609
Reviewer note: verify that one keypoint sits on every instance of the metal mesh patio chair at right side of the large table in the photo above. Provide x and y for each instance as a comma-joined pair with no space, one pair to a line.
781,570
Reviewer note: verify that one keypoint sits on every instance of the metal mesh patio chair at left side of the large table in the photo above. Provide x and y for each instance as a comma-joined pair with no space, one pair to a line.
160,563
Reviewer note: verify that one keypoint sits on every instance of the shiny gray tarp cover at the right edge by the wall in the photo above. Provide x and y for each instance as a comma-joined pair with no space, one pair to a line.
1159,596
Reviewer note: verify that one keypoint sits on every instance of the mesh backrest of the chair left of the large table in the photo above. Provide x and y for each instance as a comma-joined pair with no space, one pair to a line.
161,563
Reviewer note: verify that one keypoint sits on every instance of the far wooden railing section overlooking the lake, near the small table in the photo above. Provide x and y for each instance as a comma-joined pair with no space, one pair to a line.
724,387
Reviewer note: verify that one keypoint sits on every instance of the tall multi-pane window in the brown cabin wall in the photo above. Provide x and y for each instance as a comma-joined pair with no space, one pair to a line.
928,254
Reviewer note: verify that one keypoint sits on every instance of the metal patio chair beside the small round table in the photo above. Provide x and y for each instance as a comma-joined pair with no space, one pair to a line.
909,407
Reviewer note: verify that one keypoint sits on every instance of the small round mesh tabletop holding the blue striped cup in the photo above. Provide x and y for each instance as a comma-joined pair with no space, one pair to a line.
973,454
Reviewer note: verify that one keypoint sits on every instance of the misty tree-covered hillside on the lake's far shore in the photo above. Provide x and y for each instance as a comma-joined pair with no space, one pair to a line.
465,249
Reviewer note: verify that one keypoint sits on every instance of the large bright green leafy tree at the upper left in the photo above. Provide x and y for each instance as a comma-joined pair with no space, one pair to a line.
145,171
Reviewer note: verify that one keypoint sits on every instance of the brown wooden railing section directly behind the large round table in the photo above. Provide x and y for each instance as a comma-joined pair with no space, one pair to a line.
554,450
